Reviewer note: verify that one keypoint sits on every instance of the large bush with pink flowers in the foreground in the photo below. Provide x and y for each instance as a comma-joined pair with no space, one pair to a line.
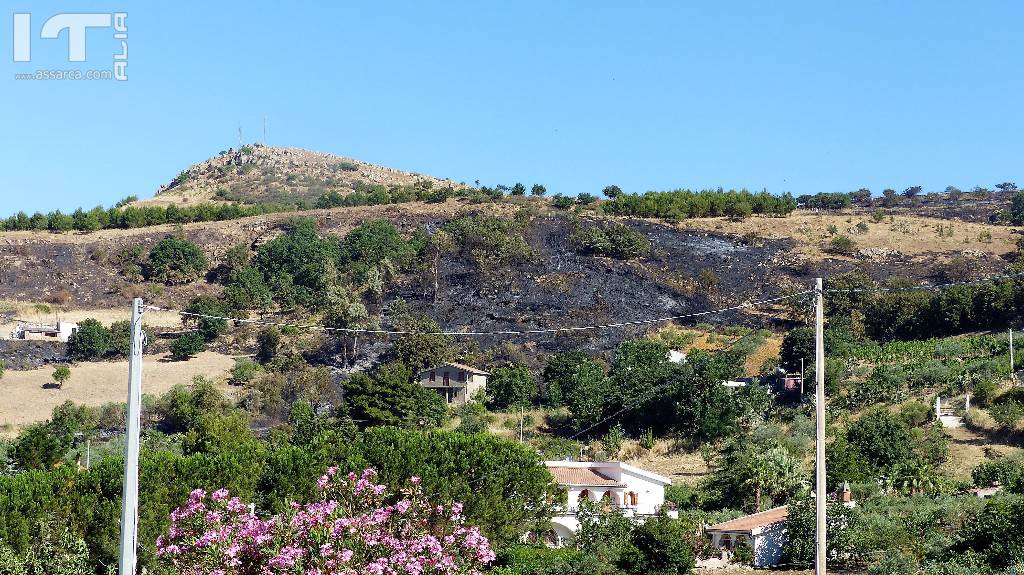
350,532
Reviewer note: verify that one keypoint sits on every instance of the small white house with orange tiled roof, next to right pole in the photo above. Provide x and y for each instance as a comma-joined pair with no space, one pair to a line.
765,533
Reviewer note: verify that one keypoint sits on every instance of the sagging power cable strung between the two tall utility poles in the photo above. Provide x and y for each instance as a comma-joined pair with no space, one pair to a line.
456,333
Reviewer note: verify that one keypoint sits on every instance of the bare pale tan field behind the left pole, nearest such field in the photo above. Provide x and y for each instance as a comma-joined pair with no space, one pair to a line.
27,397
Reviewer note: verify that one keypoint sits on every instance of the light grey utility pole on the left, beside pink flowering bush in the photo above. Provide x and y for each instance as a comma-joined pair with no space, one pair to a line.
130,494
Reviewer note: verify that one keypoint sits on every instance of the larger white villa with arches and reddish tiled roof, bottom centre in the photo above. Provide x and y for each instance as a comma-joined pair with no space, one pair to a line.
637,494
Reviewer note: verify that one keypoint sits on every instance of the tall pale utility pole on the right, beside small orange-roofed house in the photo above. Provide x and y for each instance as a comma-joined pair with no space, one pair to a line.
820,409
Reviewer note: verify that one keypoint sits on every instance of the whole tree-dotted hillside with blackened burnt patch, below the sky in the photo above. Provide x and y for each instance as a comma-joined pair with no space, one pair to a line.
346,303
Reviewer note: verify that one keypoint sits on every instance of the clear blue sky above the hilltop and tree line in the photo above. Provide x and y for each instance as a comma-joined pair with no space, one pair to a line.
794,97
